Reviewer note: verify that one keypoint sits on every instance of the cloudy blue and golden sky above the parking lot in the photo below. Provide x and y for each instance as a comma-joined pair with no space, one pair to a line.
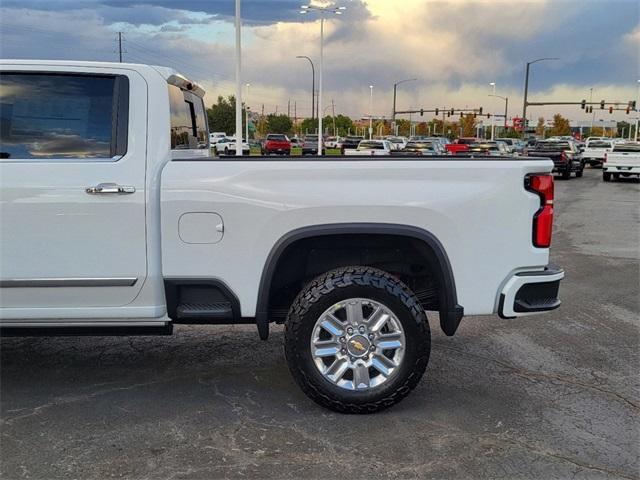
455,48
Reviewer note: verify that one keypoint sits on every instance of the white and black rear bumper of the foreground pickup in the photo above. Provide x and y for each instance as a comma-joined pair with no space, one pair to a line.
529,293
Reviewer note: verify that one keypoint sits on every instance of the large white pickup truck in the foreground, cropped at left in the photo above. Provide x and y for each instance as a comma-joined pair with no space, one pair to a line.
116,220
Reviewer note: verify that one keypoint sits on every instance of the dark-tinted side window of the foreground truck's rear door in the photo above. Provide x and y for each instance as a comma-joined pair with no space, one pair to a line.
62,116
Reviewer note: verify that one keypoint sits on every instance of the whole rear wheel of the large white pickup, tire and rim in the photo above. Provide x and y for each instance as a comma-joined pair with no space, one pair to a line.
357,340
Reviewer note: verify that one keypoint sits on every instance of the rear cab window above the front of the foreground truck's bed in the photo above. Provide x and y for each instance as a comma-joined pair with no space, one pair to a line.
189,128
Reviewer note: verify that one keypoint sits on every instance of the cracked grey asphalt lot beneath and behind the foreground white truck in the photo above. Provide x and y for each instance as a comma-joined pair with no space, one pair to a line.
550,397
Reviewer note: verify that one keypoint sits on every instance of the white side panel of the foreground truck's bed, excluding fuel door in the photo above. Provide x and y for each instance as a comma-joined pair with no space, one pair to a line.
462,202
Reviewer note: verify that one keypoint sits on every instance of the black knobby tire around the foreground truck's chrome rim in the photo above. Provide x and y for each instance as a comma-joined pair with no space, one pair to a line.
356,282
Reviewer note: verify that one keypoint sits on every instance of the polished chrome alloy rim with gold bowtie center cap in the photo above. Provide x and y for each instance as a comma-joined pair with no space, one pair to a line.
358,344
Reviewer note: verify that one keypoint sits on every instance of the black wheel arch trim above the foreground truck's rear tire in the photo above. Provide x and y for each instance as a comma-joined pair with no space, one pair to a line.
450,312
